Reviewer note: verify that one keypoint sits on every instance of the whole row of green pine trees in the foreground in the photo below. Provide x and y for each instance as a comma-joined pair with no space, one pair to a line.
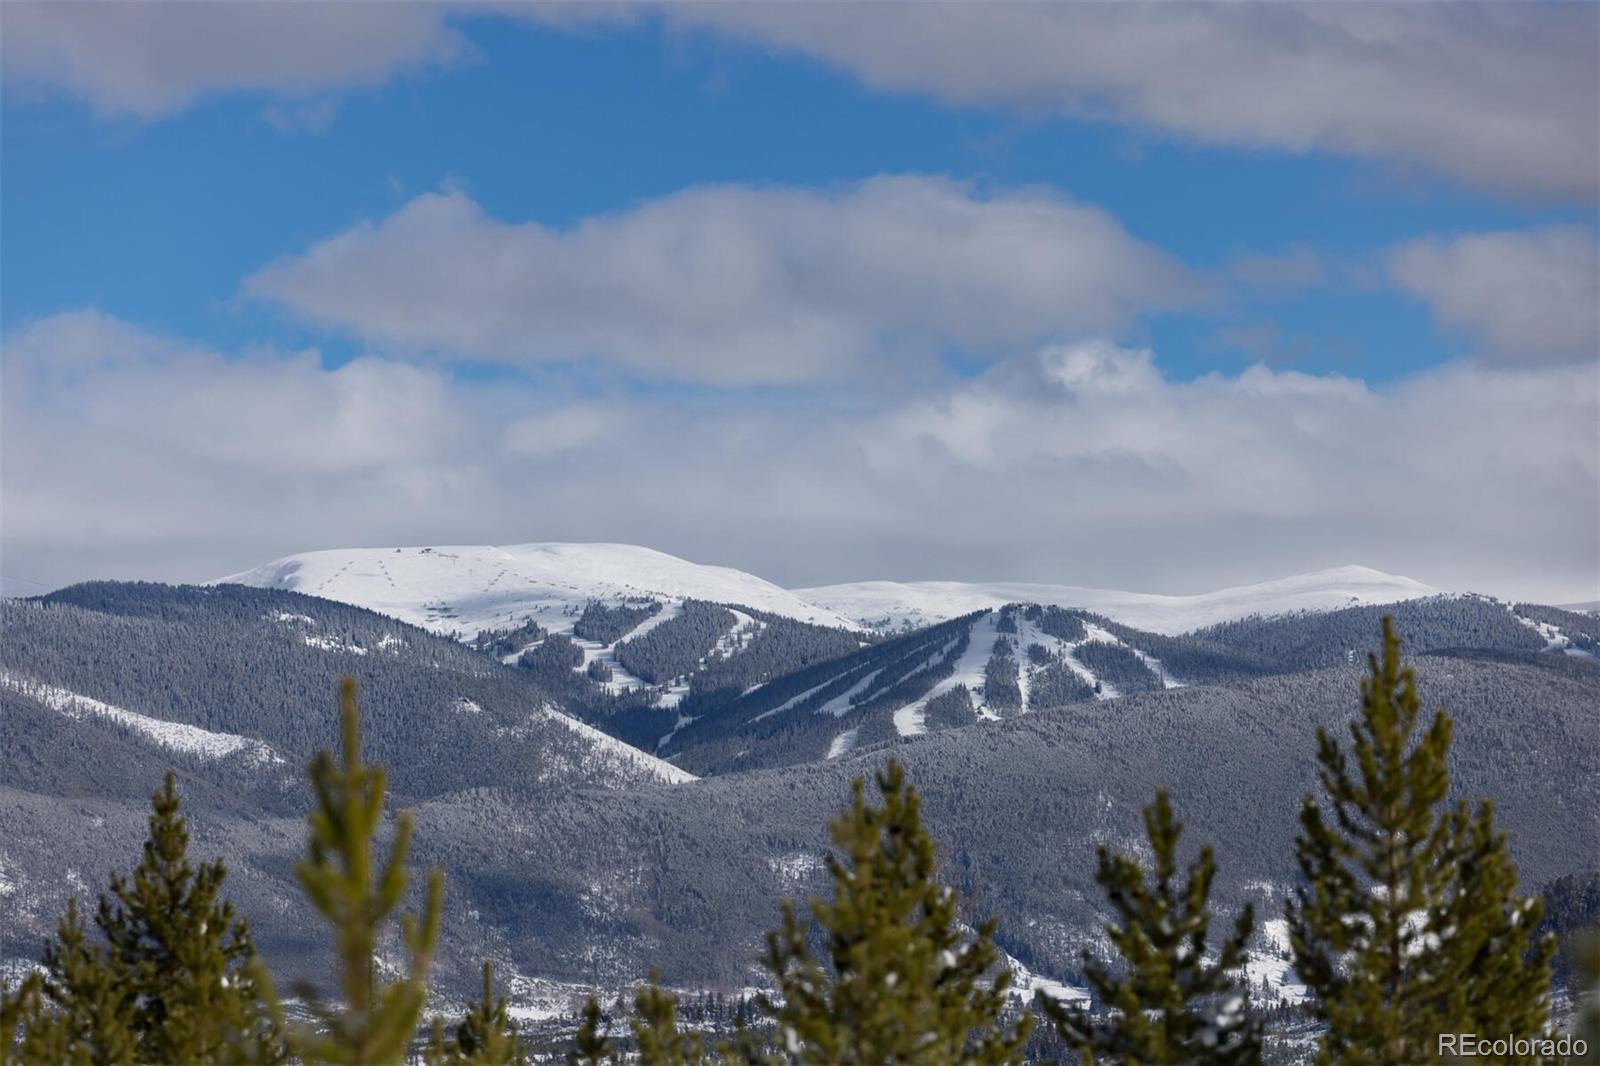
1407,924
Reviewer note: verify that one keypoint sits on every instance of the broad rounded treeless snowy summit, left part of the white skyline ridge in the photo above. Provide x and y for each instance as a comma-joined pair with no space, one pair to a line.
470,588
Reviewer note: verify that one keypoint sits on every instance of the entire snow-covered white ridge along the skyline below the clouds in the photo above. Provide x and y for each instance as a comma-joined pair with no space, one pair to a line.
468,588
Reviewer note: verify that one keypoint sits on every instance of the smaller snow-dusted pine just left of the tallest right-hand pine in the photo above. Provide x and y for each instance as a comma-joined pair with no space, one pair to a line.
1170,1006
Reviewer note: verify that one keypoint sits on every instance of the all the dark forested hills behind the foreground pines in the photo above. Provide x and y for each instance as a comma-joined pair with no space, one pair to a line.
572,865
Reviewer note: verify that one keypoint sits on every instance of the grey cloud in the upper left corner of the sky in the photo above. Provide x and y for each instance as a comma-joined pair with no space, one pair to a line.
150,58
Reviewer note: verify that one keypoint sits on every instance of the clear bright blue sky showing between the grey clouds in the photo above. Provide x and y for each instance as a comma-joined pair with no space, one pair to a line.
161,220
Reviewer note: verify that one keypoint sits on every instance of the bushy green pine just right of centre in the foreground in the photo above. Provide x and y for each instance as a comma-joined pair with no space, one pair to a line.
902,982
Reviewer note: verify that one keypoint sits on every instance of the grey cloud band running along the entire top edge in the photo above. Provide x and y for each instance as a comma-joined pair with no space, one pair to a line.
1500,95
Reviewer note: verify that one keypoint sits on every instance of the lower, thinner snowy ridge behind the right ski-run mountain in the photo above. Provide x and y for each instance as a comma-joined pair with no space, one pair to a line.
927,603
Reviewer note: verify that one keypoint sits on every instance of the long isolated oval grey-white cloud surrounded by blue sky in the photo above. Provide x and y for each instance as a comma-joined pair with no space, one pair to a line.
735,286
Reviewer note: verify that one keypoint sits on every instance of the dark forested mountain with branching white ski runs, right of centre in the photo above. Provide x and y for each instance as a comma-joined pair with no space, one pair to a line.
1030,657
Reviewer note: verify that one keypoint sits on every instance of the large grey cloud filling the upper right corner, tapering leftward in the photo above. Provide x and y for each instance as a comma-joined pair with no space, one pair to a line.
1500,95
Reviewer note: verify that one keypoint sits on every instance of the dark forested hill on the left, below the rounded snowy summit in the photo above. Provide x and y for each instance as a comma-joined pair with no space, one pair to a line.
260,665
